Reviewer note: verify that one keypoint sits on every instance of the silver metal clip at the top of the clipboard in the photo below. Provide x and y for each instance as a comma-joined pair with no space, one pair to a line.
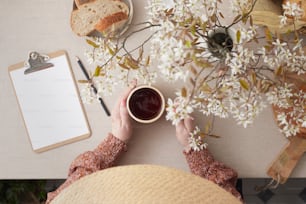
37,62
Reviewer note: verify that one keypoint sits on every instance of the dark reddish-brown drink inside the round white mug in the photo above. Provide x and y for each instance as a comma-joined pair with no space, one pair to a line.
145,103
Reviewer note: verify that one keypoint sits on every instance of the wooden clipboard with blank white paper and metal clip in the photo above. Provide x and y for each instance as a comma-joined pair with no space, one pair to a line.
49,101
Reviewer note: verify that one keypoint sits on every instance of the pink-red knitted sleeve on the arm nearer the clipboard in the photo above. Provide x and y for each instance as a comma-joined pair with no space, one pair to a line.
102,157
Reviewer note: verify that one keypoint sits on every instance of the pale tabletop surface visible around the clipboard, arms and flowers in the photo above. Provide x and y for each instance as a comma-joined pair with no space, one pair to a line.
44,26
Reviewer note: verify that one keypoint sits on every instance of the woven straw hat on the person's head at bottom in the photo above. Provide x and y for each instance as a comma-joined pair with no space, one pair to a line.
143,184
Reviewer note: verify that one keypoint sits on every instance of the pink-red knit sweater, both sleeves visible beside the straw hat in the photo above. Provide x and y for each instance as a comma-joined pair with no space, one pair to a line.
201,163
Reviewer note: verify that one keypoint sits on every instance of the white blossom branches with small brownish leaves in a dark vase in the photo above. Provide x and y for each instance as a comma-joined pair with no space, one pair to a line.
230,68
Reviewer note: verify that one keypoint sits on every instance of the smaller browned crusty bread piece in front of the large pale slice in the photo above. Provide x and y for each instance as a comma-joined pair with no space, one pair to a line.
108,24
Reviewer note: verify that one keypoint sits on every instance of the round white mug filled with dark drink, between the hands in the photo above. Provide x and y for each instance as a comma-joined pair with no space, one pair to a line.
145,104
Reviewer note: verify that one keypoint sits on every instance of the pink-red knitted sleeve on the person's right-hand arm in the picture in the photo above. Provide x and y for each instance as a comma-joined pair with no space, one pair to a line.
203,164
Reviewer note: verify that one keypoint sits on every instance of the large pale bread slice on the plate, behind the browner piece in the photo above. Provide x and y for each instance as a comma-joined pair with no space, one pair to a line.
87,16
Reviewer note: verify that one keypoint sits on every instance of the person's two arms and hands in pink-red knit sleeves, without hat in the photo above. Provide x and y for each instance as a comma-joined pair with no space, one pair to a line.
201,163
